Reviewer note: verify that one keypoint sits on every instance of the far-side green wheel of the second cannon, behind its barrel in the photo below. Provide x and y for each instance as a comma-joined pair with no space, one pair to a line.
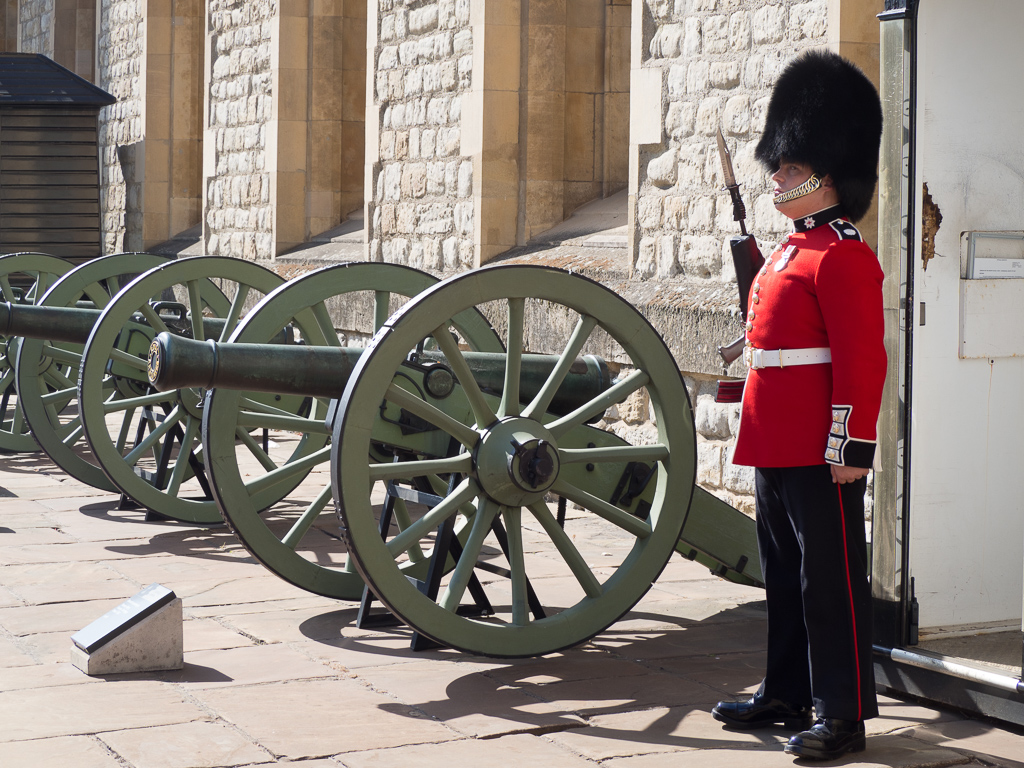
48,371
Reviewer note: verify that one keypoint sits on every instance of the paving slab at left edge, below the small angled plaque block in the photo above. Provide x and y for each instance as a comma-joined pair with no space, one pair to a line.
75,710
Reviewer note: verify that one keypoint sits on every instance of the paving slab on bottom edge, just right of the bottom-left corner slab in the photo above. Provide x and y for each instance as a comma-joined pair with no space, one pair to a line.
197,745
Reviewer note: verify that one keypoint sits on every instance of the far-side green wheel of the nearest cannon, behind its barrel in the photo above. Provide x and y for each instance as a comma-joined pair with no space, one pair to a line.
296,539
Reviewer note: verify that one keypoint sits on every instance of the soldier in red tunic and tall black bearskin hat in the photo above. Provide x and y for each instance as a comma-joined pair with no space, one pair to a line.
815,350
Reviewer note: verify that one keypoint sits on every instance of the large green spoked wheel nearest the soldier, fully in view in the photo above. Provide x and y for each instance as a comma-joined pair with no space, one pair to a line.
546,593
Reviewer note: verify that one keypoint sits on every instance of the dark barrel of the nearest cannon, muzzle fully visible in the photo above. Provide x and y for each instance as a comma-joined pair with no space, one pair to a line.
177,363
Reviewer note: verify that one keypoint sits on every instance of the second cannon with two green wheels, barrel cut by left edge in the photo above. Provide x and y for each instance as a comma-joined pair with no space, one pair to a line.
119,437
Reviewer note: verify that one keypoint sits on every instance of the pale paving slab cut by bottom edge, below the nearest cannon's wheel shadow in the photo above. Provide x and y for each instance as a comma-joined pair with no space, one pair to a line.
520,750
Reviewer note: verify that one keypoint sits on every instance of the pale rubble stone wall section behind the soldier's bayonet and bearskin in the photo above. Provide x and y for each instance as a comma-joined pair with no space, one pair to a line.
718,61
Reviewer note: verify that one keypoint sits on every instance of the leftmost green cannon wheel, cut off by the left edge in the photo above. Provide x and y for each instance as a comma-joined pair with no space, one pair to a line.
24,279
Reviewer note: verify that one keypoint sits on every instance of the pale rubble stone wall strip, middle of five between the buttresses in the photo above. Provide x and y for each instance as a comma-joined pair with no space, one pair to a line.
239,218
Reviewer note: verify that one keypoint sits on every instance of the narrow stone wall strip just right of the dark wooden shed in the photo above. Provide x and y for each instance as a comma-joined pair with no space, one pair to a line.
121,45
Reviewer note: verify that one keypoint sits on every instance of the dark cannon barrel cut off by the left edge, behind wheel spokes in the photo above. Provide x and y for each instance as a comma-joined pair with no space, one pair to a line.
75,324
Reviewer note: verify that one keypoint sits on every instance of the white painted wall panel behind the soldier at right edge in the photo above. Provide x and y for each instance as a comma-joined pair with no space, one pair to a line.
967,506
